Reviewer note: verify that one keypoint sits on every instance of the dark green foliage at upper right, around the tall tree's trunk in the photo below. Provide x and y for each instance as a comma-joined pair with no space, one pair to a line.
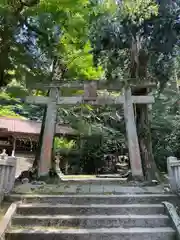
156,27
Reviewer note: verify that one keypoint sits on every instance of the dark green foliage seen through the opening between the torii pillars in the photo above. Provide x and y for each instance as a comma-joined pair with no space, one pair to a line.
101,131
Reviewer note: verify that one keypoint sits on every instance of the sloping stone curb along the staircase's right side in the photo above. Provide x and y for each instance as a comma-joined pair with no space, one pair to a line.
175,219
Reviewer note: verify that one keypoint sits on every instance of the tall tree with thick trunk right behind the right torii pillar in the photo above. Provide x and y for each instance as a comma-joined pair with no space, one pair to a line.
137,43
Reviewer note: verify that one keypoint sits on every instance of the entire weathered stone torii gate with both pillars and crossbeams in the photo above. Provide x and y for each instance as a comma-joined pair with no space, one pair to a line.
91,97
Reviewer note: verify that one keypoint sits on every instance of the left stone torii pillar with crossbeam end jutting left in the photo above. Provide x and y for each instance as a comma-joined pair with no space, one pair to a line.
44,163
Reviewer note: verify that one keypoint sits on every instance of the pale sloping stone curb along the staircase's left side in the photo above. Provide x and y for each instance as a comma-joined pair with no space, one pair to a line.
6,220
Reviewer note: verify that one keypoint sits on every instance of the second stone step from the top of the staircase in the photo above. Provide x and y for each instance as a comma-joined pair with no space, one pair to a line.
49,209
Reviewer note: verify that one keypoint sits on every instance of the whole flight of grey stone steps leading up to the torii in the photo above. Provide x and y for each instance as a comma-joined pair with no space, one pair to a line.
92,217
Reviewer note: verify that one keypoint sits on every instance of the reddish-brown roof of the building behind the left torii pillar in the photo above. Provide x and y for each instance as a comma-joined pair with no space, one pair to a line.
28,127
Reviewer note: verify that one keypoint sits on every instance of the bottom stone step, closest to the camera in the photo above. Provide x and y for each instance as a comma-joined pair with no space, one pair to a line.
92,234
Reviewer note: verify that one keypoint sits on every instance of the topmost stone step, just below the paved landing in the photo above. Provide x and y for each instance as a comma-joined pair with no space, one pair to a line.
96,199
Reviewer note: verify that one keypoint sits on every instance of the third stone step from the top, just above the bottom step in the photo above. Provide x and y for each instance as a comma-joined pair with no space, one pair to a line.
92,221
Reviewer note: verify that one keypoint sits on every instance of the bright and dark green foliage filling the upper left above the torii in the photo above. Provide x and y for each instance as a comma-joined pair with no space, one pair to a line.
34,32
